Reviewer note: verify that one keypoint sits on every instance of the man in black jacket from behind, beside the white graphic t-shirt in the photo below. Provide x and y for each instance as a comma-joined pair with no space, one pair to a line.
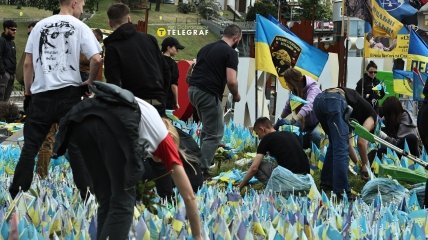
133,59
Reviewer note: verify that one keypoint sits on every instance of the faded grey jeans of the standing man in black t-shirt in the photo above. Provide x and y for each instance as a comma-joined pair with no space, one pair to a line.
210,114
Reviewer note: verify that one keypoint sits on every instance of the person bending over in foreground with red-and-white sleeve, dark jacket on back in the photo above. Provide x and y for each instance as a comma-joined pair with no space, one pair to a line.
119,131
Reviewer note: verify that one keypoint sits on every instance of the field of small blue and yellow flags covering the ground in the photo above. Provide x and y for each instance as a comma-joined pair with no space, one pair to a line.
53,209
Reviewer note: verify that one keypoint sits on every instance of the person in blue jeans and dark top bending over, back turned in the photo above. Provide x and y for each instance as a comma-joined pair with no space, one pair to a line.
331,107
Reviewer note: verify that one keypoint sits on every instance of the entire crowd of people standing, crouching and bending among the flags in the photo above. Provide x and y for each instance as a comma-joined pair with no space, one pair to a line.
121,135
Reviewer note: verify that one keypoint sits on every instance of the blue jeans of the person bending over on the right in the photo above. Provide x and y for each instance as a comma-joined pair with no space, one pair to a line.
329,109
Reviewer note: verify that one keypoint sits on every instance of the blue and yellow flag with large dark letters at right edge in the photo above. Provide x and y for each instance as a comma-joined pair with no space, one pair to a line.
418,53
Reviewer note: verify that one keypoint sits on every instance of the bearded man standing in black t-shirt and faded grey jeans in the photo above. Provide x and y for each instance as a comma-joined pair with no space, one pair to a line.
216,66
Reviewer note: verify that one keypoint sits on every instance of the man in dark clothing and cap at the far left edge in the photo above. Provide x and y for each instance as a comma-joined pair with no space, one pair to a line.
7,59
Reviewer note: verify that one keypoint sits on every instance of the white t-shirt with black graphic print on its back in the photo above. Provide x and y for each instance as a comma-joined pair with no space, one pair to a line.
56,43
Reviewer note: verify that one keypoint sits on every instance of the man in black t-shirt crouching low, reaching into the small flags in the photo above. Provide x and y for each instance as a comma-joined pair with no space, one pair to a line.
283,146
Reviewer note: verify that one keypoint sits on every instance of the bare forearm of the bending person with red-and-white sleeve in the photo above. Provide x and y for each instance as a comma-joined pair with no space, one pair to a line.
183,184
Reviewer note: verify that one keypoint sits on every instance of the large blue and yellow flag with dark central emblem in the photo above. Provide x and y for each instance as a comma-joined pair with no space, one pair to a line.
277,49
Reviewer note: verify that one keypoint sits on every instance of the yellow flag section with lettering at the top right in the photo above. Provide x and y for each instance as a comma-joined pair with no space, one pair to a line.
383,23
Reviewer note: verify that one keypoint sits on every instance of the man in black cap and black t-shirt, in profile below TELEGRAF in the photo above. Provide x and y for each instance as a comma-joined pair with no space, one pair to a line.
170,47
